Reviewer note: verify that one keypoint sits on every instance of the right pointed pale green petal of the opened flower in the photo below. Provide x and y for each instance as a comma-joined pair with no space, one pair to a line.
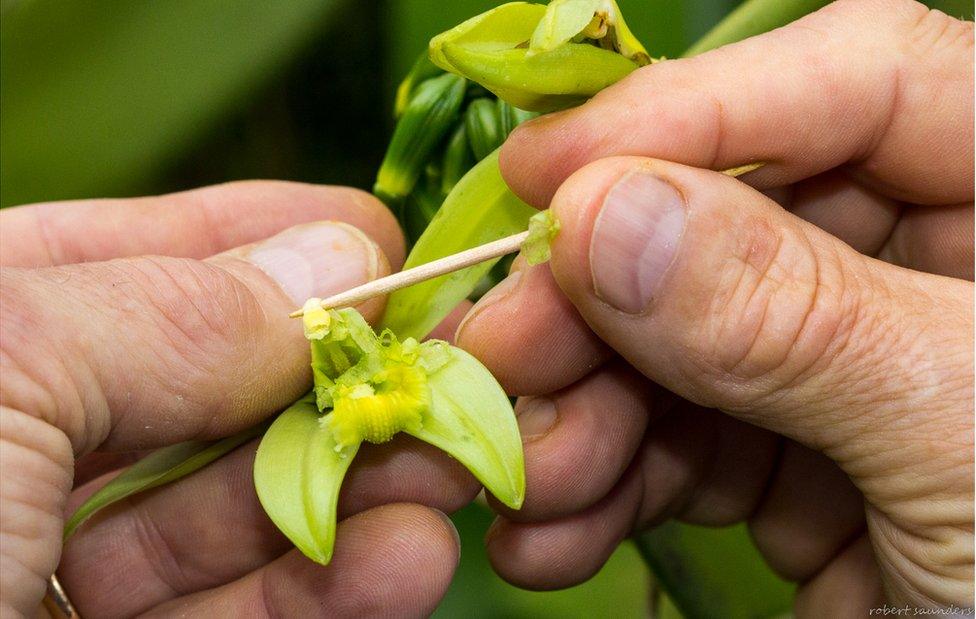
471,418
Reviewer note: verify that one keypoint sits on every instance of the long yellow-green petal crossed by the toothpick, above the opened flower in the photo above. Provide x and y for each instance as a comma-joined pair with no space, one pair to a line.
481,208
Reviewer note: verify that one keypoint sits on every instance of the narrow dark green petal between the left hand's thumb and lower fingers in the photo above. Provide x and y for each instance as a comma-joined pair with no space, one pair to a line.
158,468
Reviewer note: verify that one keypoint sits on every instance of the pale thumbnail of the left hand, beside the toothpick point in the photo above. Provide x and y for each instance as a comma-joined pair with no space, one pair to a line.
317,259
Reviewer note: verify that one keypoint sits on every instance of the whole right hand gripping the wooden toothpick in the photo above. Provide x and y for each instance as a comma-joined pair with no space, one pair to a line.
833,333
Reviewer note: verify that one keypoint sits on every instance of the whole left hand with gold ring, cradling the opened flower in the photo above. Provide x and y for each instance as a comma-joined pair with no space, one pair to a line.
108,349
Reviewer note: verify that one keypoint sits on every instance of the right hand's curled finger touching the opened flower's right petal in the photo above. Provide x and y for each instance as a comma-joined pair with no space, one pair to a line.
578,442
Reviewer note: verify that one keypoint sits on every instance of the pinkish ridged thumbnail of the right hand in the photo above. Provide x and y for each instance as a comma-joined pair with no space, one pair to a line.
635,238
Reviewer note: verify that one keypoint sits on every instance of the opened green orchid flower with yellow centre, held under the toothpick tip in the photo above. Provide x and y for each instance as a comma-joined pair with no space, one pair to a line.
369,387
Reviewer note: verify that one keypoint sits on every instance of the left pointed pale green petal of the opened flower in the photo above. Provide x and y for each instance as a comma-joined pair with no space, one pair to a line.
297,474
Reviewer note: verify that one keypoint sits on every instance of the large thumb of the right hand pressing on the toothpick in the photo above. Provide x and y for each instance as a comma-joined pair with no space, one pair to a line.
714,291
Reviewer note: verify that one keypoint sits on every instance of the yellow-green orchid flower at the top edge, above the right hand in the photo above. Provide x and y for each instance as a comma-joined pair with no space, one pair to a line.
542,58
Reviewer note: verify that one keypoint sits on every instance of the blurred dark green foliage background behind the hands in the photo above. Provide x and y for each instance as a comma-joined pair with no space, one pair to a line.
119,98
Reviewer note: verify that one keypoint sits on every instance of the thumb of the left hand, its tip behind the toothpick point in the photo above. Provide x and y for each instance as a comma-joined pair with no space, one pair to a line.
139,352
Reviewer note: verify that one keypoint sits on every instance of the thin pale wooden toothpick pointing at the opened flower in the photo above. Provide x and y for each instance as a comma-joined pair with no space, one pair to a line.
435,268
